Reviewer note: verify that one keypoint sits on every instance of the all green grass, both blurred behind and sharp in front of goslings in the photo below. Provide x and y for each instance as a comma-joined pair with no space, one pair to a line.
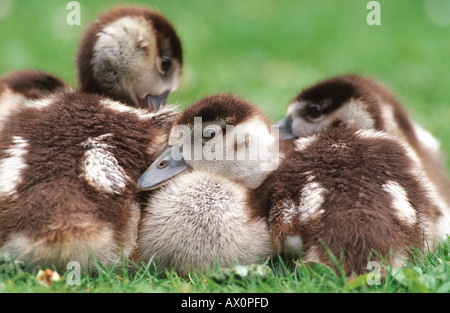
265,51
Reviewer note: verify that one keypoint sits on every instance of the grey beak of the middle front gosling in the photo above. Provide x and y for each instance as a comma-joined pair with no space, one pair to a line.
162,169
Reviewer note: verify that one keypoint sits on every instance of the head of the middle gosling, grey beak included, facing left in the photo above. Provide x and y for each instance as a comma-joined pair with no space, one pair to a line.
220,134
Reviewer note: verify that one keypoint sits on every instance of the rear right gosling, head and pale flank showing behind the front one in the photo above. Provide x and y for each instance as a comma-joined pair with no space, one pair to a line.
364,103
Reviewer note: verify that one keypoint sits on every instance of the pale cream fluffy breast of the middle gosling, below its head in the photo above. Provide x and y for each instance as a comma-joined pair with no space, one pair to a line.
198,220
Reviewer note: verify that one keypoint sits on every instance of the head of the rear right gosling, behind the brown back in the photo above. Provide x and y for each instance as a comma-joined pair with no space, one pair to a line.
354,100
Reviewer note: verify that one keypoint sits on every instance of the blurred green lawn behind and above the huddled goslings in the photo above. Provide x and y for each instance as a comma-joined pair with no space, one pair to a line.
265,50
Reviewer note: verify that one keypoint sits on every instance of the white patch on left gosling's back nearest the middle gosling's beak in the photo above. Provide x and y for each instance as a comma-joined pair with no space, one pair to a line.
100,168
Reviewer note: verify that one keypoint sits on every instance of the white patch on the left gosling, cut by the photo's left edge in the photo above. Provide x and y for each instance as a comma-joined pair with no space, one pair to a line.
12,165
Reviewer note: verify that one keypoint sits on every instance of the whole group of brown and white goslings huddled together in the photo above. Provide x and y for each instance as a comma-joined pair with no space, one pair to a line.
109,171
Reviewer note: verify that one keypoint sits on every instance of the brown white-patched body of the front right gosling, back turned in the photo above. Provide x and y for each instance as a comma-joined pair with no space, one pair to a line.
360,194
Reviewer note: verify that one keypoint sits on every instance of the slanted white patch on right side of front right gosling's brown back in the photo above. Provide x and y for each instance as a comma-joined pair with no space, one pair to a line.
400,203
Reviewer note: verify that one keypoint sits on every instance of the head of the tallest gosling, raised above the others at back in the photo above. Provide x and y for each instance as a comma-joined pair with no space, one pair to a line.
130,54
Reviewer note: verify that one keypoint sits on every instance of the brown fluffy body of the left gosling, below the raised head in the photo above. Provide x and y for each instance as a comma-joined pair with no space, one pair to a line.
68,171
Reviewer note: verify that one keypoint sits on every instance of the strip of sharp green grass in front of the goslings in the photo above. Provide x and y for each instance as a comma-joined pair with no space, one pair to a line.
429,272
